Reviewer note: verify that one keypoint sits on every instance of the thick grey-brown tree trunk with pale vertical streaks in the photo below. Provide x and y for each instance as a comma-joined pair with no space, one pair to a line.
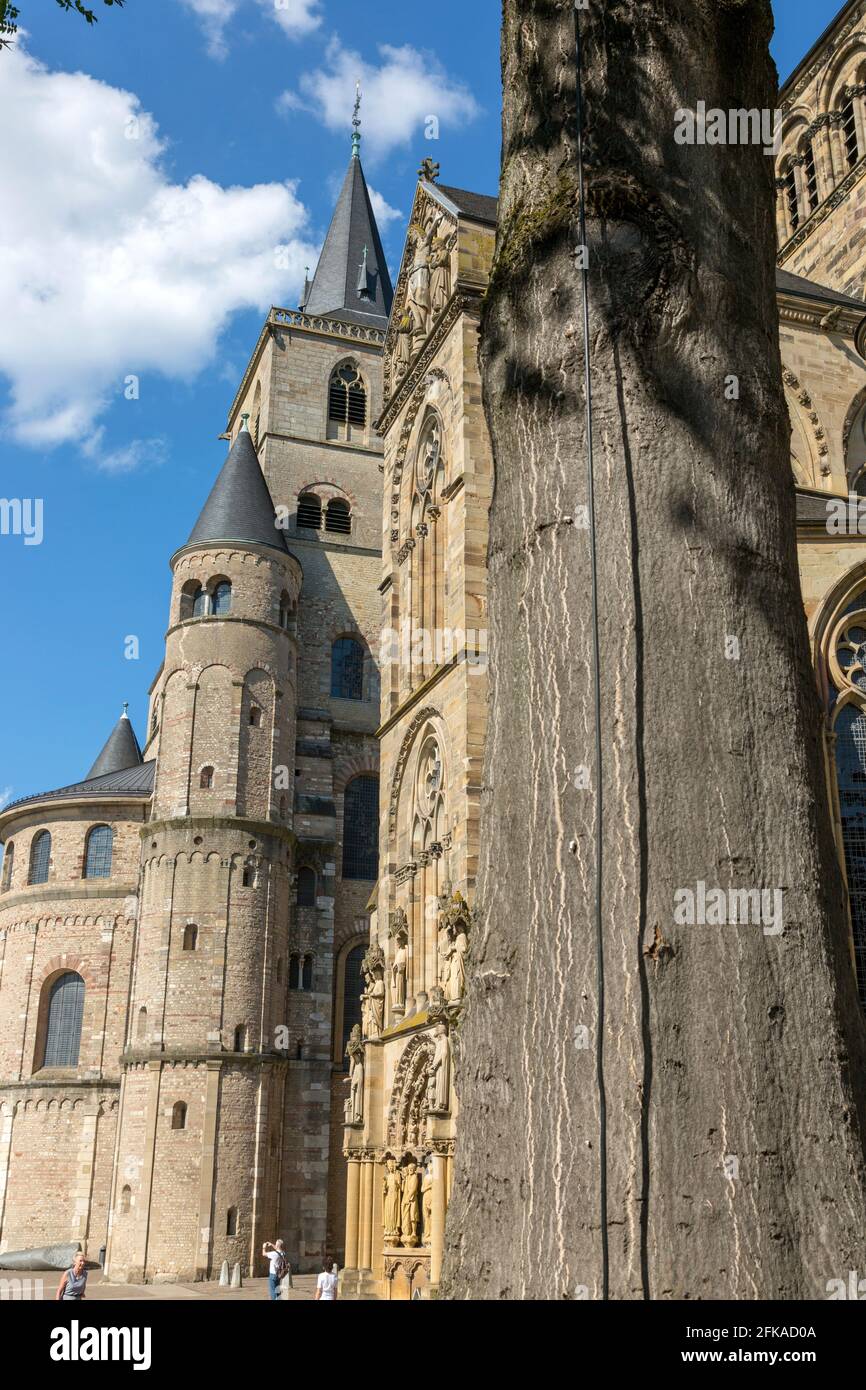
735,1058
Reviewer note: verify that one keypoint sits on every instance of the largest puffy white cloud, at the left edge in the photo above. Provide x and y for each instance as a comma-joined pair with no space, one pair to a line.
106,268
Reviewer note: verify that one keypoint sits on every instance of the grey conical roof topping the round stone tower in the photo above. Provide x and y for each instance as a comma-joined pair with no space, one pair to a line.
240,507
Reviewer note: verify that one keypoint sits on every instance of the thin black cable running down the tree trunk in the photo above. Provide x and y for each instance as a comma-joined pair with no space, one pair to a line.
597,686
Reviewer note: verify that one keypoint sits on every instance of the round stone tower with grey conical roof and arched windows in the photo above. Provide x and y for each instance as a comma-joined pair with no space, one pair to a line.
198,1171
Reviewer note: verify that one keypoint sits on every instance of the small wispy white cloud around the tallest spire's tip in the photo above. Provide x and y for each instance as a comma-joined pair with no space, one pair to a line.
398,97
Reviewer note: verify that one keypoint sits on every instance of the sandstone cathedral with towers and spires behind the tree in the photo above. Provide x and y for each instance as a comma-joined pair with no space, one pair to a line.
233,960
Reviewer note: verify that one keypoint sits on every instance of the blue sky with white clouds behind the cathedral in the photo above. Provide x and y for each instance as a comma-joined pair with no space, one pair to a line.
147,165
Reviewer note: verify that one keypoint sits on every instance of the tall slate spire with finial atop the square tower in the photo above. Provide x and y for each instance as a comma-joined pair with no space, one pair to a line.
352,280
